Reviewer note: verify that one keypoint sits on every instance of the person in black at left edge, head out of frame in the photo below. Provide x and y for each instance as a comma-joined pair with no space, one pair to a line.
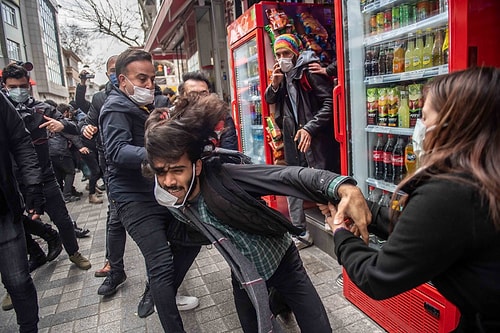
16,146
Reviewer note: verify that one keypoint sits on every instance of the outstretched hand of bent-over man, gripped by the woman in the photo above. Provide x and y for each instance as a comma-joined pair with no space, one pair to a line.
352,208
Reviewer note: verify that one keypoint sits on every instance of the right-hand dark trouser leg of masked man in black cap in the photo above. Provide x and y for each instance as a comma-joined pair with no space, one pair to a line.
55,207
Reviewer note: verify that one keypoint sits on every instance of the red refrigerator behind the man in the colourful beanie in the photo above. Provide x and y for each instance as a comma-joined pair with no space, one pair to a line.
251,61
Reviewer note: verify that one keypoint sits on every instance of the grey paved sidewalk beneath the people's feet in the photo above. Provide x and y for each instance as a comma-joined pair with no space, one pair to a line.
68,299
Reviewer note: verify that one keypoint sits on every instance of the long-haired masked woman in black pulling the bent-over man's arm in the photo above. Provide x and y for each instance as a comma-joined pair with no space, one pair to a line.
448,231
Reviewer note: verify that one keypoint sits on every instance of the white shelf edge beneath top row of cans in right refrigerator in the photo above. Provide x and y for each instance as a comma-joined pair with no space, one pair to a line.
402,33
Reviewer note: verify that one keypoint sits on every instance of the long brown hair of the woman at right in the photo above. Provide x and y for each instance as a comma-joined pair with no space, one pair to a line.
466,139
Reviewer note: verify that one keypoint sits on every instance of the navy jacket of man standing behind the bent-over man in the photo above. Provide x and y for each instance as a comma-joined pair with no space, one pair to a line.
121,124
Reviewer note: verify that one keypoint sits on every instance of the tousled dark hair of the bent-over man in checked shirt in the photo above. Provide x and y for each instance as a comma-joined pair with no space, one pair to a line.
187,128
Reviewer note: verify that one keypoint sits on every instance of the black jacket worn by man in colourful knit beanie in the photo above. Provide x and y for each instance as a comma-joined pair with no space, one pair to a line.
314,114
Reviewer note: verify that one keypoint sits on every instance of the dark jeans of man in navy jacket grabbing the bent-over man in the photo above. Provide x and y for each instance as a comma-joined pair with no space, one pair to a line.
147,223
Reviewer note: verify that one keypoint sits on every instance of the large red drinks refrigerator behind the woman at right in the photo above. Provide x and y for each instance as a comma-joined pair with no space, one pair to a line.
376,76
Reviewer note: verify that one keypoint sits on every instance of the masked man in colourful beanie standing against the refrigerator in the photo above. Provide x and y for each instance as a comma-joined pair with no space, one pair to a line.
304,113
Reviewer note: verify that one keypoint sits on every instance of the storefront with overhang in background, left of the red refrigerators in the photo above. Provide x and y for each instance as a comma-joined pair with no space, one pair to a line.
189,36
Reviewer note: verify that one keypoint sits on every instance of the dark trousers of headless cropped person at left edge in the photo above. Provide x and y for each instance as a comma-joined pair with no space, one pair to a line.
15,274
